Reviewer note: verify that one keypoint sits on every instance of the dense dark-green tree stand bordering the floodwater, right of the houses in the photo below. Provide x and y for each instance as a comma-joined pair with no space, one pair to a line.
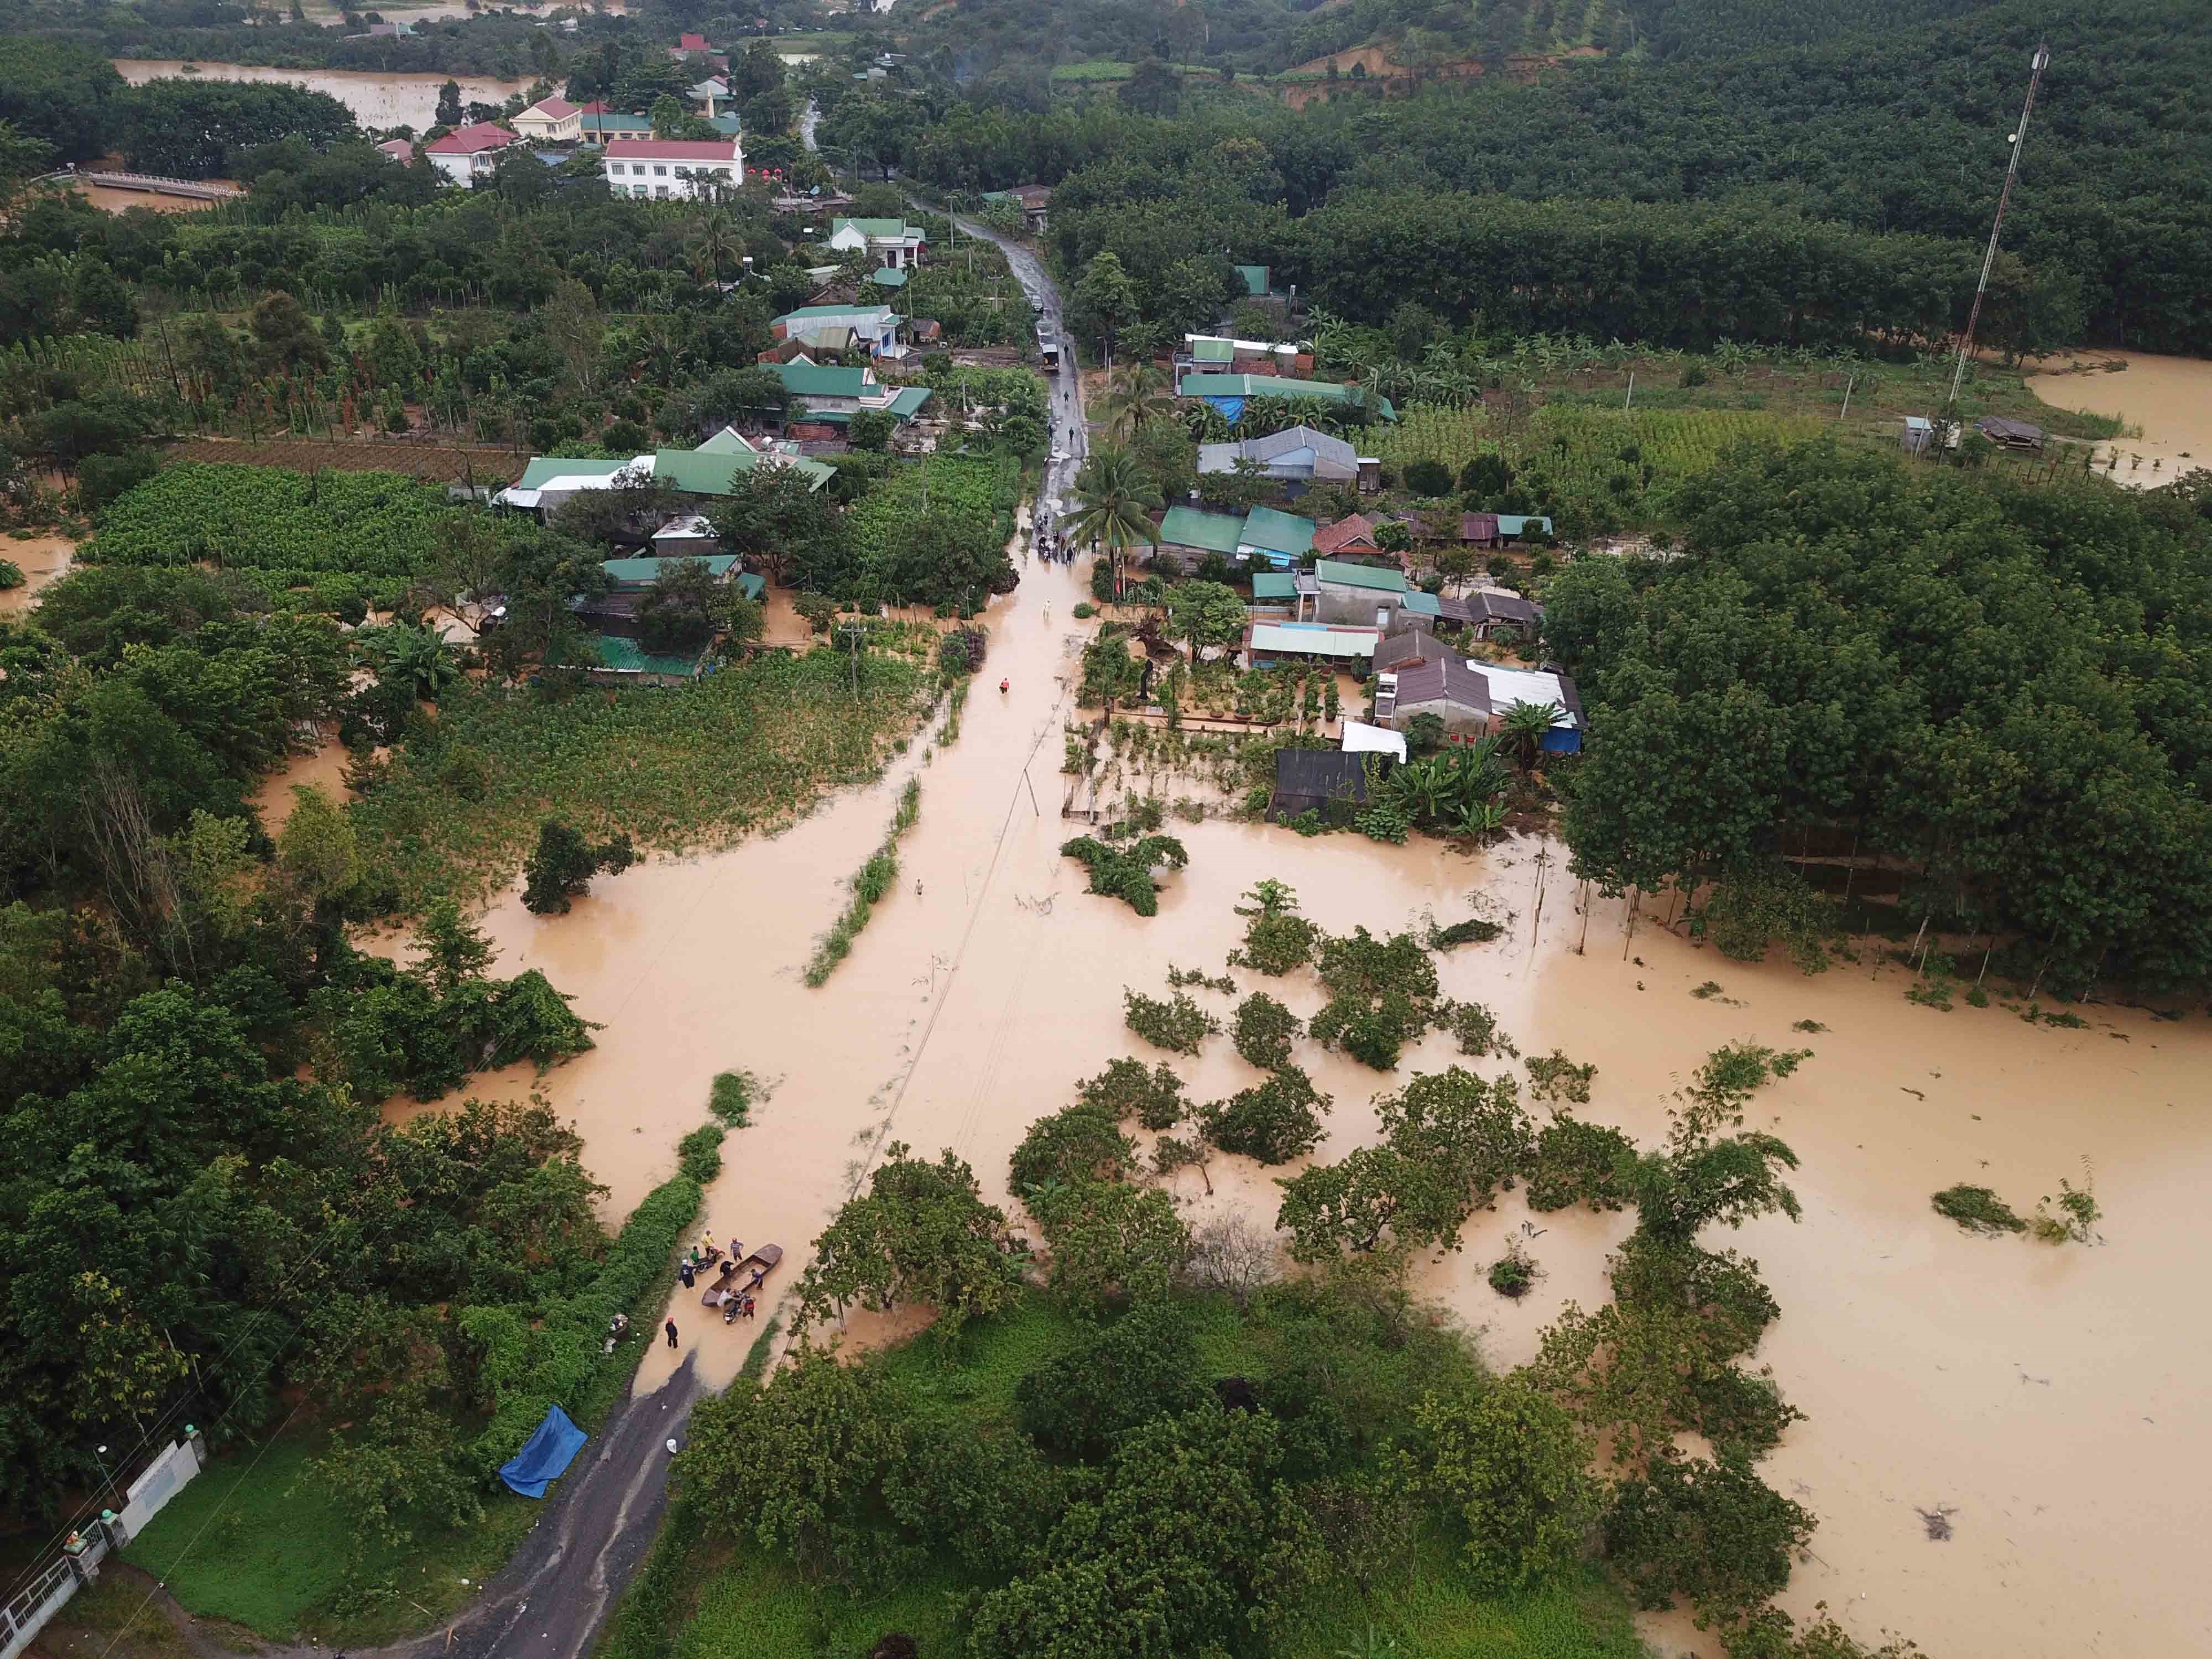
1999,689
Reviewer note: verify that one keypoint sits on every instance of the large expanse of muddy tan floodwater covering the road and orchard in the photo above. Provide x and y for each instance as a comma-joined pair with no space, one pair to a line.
2049,1404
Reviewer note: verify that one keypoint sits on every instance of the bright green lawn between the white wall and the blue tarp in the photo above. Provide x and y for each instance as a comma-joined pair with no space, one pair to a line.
255,1541
